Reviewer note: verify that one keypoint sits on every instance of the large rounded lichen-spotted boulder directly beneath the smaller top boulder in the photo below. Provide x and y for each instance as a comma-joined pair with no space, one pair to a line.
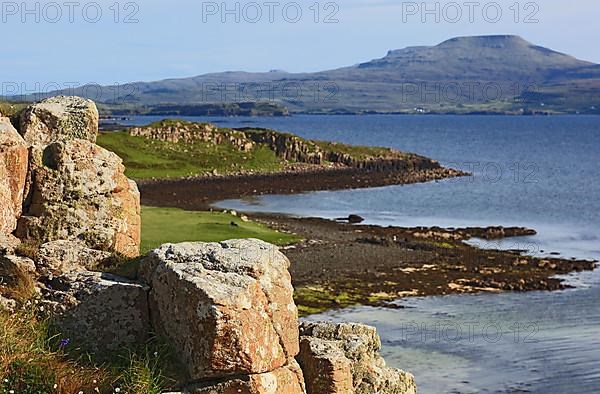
80,192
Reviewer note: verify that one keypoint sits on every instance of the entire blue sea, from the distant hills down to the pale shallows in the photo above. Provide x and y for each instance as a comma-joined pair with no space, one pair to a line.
539,172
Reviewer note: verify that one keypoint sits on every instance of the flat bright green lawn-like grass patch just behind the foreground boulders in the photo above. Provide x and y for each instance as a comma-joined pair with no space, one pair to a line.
171,225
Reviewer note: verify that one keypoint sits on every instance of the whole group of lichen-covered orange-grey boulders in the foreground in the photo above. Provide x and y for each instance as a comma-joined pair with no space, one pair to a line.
71,221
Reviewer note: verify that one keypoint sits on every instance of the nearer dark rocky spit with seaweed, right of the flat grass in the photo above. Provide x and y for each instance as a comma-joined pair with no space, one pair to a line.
393,262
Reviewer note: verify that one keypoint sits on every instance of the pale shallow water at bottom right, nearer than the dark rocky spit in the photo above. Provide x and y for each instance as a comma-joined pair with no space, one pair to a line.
536,342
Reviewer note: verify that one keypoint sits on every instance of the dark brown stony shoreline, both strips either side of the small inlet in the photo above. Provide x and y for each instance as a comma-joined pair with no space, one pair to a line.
338,265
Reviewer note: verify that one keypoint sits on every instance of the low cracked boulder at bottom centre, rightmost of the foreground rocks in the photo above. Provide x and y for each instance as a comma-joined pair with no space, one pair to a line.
344,358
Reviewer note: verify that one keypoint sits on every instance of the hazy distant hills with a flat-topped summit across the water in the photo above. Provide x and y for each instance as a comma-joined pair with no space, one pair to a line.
482,74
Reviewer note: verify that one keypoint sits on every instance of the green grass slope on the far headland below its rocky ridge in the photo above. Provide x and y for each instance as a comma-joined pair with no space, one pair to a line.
145,158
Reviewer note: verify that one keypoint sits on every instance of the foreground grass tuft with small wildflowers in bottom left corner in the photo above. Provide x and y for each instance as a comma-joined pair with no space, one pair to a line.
33,362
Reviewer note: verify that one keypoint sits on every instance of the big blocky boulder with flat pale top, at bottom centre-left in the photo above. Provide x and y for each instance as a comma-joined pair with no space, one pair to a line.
227,308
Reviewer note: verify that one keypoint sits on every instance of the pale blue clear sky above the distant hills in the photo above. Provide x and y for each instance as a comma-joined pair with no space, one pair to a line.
65,43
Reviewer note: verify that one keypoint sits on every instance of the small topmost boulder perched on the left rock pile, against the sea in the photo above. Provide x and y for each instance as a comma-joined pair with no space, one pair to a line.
60,118
